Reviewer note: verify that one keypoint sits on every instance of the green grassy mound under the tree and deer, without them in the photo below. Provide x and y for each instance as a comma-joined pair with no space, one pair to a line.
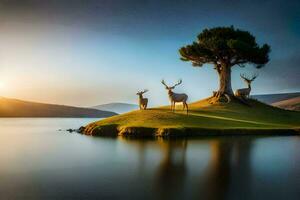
203,119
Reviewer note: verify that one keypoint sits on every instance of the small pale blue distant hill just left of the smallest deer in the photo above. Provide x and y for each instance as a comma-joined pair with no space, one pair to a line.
117,107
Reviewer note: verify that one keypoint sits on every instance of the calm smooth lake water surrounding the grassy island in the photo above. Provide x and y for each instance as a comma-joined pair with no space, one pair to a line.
39,162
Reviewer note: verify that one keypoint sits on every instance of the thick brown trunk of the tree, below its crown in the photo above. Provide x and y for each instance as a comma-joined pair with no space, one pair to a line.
225,81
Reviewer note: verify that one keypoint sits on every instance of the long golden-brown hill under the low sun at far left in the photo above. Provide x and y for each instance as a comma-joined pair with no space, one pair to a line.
18,108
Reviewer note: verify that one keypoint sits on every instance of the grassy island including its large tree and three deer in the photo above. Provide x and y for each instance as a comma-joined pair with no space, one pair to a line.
222,48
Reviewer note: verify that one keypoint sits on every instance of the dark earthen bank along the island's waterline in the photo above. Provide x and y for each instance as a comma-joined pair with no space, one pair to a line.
141,132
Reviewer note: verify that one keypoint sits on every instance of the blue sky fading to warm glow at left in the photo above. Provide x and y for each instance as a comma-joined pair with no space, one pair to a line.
90,52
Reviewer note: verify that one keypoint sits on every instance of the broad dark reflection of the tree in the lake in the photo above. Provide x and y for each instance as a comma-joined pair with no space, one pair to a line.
228,173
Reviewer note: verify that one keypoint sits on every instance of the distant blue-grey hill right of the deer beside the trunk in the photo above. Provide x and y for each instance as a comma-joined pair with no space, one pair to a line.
273,98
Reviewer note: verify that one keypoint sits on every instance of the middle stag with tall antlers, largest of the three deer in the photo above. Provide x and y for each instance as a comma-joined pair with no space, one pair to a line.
175,98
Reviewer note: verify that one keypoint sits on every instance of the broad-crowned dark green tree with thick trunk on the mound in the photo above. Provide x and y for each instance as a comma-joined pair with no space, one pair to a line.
224,48
